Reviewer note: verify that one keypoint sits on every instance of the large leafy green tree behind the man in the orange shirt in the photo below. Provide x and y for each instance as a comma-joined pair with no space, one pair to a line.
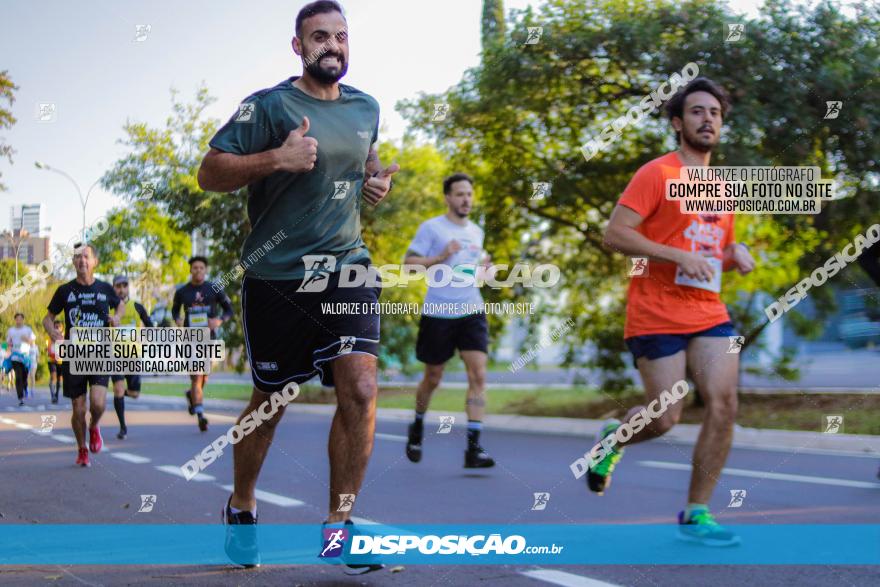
524,113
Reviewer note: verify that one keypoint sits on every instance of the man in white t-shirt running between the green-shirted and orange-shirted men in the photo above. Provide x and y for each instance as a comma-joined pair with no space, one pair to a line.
450,247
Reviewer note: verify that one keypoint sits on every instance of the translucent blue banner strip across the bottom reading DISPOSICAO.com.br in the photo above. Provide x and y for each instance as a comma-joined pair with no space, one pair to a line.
484,544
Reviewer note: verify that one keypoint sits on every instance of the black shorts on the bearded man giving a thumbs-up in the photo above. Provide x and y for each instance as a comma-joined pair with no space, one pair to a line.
291,337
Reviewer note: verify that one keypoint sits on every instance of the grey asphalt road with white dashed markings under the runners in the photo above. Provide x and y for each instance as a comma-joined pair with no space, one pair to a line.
39,484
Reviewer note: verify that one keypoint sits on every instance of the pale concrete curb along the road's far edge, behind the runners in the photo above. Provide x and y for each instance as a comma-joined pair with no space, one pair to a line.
759,438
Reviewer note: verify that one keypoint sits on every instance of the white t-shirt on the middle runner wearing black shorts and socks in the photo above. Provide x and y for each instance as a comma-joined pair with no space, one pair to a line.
446,297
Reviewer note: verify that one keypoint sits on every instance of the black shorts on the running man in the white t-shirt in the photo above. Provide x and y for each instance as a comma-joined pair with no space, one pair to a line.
439,337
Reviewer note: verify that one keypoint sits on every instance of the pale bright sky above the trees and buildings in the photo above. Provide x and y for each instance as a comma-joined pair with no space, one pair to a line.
82,57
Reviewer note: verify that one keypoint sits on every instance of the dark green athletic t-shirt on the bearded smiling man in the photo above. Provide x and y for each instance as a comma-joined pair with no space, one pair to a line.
312,213
